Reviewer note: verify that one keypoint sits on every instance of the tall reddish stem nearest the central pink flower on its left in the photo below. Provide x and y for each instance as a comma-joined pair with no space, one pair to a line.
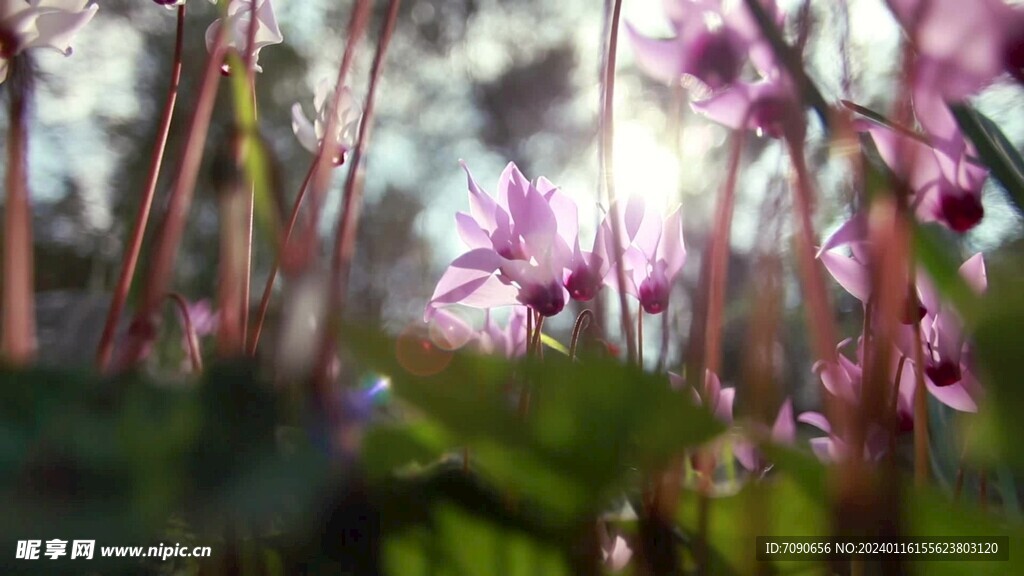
349,220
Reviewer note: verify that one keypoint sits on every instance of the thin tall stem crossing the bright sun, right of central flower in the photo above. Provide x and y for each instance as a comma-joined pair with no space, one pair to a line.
610,181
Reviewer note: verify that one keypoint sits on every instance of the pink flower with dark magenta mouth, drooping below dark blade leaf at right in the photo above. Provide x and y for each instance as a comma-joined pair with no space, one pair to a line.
947,185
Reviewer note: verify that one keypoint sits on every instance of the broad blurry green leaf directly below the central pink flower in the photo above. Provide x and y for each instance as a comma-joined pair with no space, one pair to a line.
590,425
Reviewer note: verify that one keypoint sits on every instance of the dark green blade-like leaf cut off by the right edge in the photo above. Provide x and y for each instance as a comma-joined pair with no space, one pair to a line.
996,151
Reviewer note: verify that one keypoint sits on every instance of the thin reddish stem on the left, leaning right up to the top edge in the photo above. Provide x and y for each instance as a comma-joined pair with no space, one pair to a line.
131,260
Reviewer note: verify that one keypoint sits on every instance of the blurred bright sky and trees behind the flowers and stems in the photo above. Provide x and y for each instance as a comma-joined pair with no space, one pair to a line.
481,80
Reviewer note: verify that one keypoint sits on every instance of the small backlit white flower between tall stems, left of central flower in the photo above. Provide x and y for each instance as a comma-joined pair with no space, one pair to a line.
311,135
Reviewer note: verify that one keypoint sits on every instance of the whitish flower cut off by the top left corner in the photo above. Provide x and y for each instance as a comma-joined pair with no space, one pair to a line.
40,24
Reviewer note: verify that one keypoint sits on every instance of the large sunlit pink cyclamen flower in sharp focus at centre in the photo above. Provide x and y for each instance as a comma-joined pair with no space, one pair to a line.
519,252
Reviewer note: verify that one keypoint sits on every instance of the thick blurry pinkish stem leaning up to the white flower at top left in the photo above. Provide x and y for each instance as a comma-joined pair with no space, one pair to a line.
166,245
